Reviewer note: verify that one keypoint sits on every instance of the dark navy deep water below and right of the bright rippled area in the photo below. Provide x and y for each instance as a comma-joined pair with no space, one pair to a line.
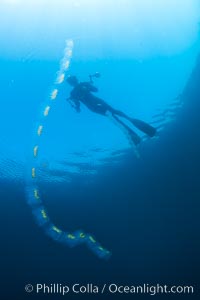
152,225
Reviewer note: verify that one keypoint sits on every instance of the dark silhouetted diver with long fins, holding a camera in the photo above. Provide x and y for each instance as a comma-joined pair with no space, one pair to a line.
82,92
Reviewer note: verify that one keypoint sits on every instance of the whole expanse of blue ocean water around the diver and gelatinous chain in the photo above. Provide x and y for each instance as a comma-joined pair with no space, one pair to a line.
144,210
